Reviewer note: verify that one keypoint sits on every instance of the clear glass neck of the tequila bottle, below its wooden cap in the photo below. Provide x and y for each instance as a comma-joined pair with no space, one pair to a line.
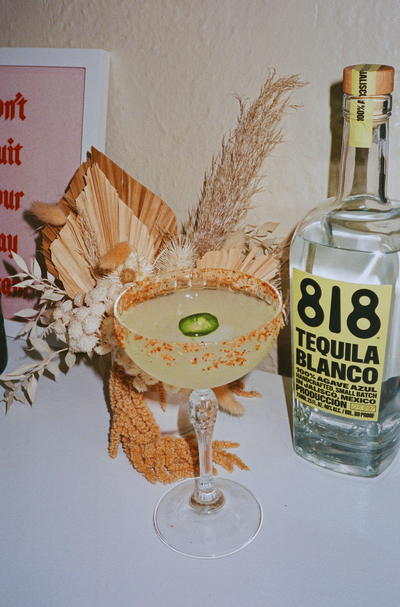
363,173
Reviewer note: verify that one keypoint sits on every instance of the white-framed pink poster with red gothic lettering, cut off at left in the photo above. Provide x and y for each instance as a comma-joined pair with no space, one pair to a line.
53,106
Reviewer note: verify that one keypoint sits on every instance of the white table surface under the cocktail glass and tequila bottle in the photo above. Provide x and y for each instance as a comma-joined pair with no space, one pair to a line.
76,526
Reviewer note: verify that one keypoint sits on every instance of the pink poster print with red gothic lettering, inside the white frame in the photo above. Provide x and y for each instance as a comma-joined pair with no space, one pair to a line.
41,121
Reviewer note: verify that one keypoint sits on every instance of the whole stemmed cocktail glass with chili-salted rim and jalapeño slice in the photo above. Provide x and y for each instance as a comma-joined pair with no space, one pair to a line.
200,329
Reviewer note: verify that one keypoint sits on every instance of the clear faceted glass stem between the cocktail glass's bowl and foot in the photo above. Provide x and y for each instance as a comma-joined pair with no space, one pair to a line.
203,408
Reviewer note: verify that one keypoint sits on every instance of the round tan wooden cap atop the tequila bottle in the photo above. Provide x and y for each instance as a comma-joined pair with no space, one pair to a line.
367,79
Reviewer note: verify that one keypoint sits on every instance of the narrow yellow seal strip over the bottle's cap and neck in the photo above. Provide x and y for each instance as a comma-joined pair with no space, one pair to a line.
363,84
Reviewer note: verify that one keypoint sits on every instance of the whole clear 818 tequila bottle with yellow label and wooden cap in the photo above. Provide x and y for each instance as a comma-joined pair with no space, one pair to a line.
345,298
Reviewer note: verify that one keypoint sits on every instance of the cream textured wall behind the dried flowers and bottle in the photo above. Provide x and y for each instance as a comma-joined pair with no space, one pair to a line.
176,65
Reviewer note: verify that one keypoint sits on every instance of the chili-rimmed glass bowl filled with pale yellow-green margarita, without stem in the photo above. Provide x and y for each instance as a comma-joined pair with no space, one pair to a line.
247,311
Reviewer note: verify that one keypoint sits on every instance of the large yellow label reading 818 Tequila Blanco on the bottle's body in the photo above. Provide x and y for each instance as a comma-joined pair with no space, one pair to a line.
339,343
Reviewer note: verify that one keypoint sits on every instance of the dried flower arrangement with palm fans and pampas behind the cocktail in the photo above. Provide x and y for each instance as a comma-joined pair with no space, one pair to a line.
109,231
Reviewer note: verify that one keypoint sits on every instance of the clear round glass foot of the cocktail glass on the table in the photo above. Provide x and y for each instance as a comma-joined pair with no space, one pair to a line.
213,535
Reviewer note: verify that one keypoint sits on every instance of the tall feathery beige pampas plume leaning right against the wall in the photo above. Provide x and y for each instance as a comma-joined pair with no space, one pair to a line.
234,176
